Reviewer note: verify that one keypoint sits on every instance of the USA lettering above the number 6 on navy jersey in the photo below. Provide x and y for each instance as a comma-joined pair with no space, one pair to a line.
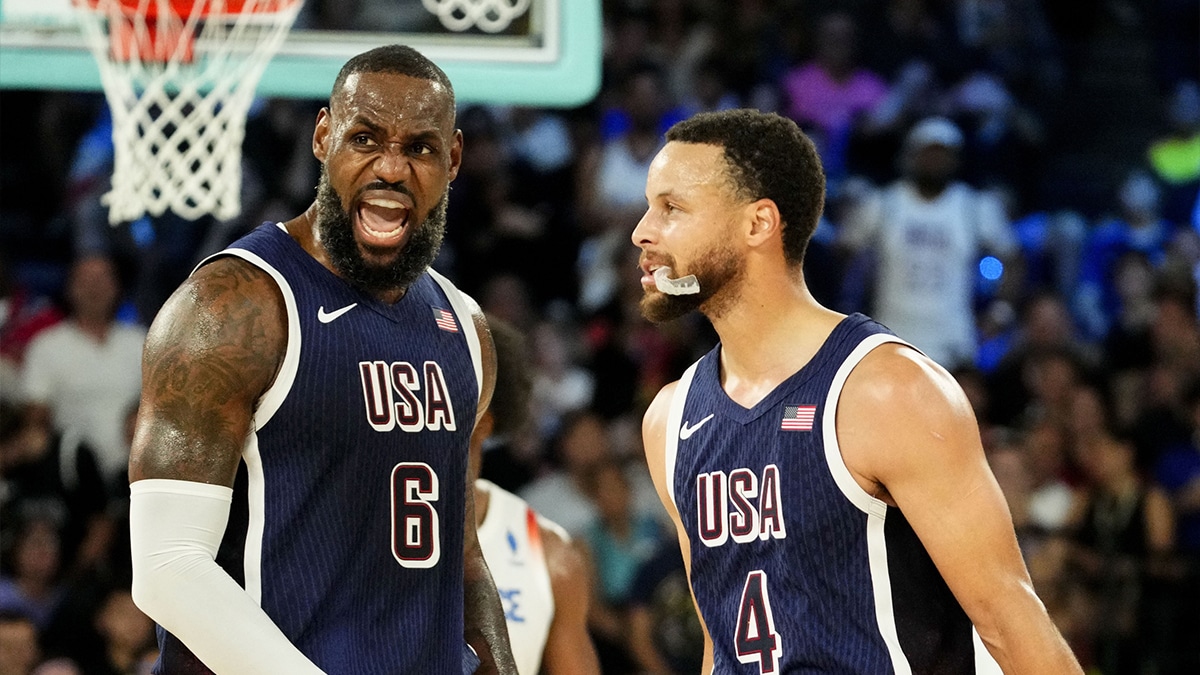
401,396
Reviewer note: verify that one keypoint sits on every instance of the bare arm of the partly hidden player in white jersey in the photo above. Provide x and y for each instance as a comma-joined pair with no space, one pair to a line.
569,650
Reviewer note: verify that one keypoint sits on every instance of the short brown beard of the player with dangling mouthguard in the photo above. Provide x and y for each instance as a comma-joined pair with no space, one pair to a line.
719,274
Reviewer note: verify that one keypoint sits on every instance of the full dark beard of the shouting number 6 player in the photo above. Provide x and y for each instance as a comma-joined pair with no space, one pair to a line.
337,229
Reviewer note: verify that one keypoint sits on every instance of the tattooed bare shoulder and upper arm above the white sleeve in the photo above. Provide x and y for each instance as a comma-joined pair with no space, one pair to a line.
214,349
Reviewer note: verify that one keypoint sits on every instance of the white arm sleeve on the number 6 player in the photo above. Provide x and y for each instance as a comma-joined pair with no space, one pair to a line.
176,528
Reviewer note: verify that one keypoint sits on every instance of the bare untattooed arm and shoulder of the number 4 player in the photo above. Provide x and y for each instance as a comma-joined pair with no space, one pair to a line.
933,468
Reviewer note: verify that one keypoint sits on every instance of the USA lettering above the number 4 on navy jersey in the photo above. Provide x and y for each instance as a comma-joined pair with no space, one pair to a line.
739,506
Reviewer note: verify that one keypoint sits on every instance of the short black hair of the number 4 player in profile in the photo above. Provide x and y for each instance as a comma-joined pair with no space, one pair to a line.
769,158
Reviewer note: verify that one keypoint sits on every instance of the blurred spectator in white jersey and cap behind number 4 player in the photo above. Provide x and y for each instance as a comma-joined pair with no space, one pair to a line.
927,232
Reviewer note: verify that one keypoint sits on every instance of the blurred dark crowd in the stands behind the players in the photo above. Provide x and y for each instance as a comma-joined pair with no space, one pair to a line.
1072,324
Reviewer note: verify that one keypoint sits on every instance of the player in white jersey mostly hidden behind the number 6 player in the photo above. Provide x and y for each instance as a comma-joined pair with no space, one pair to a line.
543,581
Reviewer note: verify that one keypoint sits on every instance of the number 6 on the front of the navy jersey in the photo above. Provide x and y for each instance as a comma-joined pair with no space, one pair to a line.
416,536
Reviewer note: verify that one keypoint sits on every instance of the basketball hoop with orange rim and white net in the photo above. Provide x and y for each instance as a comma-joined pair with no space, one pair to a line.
179,77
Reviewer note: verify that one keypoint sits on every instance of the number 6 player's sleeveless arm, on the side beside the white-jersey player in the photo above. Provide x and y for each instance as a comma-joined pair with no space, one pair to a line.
483,614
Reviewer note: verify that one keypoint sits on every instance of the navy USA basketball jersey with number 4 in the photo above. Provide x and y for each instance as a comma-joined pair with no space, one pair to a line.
795,568
